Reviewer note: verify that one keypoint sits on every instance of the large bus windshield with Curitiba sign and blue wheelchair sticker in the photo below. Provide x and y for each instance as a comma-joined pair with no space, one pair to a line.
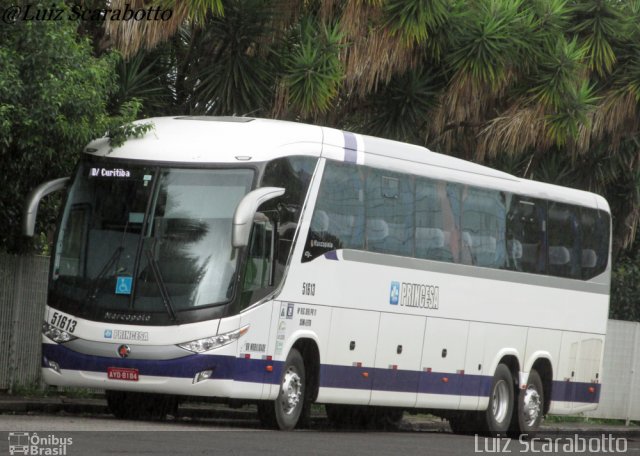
147,238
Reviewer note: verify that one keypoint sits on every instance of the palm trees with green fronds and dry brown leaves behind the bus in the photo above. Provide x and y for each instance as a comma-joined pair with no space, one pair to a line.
544,88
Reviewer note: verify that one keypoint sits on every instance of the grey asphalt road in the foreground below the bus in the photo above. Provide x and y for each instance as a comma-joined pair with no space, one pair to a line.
103,435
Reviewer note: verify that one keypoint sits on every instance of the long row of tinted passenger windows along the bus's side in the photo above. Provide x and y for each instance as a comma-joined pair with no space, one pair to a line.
386,212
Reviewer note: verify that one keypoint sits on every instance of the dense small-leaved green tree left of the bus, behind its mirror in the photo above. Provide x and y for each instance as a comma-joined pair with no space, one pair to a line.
53,101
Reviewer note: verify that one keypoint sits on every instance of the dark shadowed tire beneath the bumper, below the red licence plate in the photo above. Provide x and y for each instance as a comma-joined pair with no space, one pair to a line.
140,406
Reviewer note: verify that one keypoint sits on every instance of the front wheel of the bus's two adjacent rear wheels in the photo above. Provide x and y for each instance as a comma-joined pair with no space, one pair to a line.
499,413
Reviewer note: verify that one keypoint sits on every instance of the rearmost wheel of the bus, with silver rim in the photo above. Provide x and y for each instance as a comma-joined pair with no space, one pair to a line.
530,407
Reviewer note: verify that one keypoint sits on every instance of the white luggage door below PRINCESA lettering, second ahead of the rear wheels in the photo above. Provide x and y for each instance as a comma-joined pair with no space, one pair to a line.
397,373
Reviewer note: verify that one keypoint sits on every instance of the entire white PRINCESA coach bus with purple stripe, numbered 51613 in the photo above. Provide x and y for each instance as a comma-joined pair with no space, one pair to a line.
283,264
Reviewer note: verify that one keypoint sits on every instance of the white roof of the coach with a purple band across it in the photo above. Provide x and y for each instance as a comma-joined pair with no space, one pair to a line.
208,139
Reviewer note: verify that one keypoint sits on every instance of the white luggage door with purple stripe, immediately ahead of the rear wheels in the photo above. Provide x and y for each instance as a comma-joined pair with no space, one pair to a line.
443,362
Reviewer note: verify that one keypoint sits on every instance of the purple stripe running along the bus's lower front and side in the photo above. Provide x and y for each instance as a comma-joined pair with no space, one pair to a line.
254,370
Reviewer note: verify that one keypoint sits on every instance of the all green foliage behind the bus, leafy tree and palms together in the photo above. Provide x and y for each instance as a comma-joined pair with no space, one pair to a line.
548,89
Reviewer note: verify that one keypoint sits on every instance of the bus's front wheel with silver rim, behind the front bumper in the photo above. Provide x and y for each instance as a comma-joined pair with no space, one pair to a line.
286,411
